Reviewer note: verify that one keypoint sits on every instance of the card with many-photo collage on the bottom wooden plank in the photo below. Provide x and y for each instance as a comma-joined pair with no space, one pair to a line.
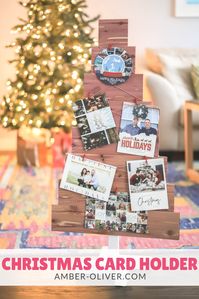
114,215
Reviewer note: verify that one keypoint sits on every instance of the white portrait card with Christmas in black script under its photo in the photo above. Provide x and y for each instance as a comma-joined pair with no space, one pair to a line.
147,184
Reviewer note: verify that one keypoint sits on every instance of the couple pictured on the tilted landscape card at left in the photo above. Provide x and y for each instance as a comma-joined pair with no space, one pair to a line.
88,179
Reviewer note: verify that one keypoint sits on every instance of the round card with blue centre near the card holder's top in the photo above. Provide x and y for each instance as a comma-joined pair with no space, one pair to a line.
113,66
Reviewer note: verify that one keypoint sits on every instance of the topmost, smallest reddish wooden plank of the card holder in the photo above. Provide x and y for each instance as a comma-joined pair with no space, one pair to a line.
113,32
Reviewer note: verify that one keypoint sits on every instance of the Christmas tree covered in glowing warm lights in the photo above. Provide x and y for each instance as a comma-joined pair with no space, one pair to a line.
52,53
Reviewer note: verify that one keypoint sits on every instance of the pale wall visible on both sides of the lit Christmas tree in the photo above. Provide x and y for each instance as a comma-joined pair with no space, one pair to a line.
151,24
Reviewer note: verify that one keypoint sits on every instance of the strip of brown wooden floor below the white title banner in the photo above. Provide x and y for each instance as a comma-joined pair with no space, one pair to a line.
99,292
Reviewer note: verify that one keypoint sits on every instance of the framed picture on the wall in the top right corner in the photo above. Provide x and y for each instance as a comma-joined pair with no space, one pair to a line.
187,8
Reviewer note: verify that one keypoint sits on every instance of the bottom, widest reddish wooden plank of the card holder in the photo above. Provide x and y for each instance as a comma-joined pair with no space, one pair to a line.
161,224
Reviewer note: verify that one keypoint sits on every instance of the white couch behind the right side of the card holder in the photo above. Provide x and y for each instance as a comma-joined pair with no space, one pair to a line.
169,83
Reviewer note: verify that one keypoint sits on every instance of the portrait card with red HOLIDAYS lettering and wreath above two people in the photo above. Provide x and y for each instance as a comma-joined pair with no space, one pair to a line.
138,130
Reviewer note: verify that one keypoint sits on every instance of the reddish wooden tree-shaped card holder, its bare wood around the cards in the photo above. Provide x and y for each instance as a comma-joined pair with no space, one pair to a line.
69,214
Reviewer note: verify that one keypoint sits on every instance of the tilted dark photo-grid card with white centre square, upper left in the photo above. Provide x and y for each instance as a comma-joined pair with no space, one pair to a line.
95,121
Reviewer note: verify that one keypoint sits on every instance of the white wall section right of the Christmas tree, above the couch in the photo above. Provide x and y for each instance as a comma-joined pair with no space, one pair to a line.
151,23
